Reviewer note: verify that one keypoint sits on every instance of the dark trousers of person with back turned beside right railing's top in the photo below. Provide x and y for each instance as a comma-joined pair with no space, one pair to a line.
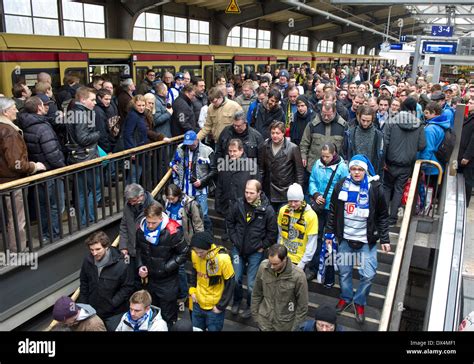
394,181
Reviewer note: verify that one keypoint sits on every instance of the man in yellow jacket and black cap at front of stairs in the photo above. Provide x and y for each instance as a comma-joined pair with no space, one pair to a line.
212,282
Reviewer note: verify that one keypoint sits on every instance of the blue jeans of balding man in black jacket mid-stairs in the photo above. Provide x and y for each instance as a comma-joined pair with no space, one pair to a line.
240,262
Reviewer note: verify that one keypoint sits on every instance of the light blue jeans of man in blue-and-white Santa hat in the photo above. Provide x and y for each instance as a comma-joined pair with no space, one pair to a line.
368,266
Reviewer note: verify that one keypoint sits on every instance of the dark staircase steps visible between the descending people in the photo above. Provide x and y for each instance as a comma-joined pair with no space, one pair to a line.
318,294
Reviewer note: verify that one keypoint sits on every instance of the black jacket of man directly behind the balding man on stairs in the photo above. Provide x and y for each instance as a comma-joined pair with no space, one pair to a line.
231,184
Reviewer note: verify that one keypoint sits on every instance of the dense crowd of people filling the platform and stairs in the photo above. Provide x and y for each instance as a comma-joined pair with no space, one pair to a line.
302,164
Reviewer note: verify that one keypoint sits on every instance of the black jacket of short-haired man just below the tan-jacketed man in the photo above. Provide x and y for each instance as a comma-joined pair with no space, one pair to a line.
251,139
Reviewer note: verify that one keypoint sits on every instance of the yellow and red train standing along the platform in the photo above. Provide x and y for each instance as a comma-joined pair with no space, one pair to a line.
22,57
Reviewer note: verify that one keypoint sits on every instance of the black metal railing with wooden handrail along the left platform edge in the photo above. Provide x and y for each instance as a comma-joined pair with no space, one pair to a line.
61,205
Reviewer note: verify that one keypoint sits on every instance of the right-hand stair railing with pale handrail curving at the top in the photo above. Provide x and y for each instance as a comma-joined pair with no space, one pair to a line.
401,262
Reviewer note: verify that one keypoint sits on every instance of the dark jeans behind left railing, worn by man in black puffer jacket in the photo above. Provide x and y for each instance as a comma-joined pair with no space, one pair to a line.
56,207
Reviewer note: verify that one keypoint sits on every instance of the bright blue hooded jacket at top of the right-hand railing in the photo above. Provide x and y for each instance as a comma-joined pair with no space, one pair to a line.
434,134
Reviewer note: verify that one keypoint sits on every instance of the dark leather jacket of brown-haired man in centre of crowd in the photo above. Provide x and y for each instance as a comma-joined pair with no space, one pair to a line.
278,172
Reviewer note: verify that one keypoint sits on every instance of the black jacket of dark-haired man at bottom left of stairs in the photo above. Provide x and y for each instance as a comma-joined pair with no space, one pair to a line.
109,292
